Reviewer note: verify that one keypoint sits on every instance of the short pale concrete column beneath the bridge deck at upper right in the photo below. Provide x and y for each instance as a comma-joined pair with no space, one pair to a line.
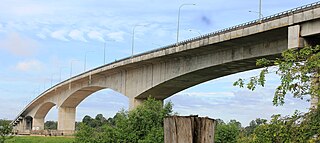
294,38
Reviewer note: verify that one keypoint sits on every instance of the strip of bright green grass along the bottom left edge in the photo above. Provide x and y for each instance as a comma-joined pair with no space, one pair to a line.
40,139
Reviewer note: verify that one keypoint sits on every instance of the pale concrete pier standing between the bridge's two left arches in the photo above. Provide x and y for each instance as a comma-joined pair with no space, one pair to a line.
66,119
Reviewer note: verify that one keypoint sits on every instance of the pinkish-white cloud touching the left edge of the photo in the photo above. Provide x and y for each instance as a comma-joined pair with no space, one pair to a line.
19,45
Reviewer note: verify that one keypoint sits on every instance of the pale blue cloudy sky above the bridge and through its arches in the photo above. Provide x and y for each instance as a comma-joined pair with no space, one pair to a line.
44,42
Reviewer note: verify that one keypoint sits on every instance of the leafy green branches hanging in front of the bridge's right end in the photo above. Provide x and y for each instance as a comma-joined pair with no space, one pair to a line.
296,69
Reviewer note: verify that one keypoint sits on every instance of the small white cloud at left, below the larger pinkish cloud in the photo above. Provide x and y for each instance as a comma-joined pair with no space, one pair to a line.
30,65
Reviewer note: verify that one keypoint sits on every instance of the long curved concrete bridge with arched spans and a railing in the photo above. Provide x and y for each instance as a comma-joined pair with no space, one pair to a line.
163,72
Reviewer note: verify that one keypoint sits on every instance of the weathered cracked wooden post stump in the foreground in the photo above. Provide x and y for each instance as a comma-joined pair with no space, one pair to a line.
189,129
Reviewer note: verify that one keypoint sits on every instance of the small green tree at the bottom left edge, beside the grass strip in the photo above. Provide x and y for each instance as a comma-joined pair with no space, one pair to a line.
5,130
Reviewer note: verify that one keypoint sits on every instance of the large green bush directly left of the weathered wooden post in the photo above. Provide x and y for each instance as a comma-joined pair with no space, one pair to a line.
141,125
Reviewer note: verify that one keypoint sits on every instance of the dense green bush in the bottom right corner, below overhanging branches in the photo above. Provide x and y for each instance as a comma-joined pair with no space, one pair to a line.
292,129
